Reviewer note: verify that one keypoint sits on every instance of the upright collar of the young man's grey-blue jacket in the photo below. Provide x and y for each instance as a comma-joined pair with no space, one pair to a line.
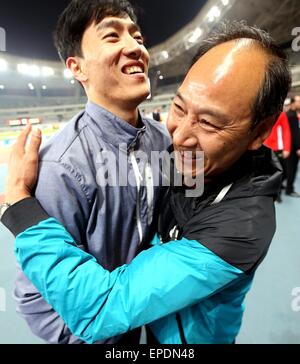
113,129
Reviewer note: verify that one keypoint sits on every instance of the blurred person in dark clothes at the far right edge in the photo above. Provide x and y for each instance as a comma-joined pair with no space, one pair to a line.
293,160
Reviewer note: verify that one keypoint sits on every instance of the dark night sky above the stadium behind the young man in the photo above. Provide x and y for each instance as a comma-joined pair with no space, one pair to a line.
29,24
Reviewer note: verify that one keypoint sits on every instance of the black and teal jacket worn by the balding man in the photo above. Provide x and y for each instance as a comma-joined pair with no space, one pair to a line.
190,290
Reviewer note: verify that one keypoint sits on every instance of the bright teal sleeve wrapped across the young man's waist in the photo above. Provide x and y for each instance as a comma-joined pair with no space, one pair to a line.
98,304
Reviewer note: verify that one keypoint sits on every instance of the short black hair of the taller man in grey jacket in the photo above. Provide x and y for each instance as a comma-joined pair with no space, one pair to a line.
79,15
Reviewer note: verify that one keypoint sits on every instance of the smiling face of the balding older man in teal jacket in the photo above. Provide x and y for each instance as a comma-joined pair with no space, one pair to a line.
213,108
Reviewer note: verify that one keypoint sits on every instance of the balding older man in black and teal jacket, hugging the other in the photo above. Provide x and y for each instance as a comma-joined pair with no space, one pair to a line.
190,289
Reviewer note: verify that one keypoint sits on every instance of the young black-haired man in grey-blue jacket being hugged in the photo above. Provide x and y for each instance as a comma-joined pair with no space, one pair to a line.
101,43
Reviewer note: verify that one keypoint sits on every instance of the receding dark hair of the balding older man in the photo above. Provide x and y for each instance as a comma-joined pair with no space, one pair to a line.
277,82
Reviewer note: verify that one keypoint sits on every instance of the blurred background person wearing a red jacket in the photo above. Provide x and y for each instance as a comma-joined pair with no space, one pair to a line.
280,142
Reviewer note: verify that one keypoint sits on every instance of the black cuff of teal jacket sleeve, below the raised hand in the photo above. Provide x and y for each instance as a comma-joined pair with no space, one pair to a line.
23,215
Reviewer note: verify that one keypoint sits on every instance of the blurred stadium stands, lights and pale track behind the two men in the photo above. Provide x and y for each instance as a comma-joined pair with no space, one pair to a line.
44,93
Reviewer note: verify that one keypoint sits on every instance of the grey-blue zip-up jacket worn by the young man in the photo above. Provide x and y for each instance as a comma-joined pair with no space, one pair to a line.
77,170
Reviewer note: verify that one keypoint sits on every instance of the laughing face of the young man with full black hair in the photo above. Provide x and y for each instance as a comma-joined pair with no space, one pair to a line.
114,66
